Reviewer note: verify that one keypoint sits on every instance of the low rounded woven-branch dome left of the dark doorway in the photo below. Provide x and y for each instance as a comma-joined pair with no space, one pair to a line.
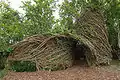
48,52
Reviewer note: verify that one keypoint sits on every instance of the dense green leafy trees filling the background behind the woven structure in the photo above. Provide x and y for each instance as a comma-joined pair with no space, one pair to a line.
39,19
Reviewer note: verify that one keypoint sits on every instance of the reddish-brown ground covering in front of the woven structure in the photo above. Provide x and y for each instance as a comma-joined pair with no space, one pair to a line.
74,73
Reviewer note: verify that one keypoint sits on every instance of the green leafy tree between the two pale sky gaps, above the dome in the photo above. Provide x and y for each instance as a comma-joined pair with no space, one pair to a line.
39,17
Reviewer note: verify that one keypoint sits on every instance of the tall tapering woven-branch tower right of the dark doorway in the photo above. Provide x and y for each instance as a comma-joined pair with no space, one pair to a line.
91,30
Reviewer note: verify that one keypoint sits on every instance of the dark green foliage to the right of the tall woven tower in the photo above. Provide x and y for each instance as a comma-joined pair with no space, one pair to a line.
113,21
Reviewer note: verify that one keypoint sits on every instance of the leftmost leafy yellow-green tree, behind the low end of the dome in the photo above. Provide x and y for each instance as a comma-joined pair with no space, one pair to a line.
10,26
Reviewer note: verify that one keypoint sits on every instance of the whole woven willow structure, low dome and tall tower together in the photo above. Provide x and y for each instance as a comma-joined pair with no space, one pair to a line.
55,52
